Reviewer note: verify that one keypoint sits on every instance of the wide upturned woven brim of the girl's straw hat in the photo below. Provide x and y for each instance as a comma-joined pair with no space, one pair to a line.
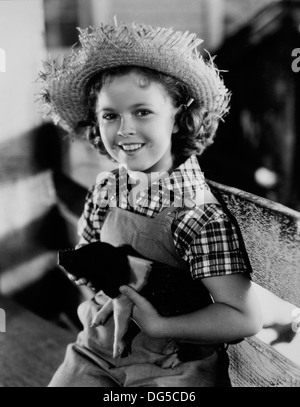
67,85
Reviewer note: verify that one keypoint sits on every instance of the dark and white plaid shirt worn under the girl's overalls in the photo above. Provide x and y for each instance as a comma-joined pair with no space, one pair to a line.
203,235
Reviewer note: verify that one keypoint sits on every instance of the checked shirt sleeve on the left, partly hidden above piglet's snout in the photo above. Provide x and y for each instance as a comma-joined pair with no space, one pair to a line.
92,218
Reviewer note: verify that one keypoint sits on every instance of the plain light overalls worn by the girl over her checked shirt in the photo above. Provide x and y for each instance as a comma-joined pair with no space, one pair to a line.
89,361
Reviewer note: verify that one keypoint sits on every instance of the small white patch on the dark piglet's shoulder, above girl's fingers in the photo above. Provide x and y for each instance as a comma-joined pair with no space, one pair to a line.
139,272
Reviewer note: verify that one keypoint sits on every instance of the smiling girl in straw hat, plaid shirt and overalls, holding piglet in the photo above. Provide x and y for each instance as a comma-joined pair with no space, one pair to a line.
147,98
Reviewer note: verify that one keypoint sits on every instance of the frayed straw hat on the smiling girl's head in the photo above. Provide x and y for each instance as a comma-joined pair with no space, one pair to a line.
65,83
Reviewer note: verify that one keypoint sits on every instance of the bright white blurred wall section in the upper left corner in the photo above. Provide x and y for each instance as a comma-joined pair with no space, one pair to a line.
21,39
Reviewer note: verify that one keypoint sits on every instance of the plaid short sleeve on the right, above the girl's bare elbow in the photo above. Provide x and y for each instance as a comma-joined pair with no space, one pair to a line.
209,240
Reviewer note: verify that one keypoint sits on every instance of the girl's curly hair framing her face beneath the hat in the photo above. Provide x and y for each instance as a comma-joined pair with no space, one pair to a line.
197,126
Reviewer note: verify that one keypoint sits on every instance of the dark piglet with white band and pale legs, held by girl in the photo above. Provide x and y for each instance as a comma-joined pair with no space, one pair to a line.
171,291
